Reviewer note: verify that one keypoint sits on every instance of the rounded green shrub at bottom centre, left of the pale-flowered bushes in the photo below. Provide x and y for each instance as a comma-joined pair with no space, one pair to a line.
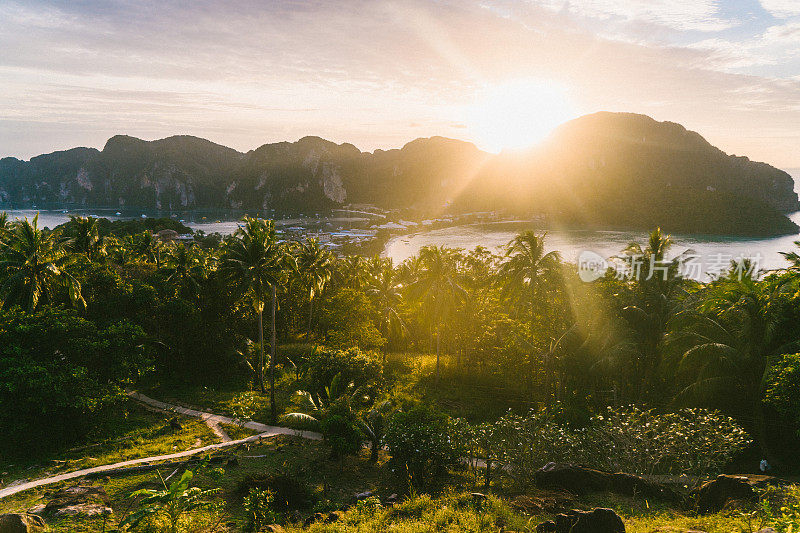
423,444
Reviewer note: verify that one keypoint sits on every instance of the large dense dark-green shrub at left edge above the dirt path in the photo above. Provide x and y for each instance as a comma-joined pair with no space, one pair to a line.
60,377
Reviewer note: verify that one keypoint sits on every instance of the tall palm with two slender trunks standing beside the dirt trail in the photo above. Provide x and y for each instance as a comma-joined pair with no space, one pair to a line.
258,264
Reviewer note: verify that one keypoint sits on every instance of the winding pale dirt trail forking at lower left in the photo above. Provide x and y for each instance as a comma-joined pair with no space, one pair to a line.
264,431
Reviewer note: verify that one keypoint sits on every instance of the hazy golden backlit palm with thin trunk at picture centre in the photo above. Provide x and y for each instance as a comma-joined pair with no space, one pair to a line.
437,288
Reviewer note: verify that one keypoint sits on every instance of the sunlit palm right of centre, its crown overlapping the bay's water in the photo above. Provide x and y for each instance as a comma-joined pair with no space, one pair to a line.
528,272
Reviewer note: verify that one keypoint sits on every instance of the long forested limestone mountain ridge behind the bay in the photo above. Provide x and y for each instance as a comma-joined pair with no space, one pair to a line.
605,169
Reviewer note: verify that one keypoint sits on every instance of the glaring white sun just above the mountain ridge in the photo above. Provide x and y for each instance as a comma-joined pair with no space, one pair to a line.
517,114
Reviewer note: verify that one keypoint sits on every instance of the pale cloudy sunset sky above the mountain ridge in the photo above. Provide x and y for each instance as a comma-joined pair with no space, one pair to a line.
380,73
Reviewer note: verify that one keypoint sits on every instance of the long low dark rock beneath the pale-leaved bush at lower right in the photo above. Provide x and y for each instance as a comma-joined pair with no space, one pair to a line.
581,480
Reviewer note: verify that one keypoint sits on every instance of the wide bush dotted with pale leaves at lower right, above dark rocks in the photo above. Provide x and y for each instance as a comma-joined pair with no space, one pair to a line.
629,439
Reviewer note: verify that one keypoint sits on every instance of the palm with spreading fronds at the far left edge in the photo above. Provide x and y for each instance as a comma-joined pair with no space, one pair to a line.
33,264
